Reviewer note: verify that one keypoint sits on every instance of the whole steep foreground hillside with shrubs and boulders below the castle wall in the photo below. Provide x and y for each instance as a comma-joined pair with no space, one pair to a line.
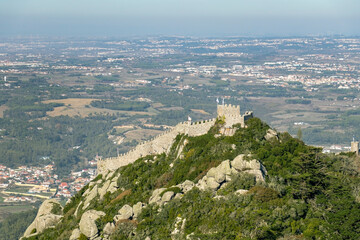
256,184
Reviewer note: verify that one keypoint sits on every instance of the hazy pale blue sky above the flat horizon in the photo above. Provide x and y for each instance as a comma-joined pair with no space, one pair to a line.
179,17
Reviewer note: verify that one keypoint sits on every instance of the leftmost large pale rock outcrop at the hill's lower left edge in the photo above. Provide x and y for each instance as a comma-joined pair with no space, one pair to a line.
44,218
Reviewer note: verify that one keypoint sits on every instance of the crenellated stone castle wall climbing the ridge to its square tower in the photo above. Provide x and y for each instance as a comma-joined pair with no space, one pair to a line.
164,141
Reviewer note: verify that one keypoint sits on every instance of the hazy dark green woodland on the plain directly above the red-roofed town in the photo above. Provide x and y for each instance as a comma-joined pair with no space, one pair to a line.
53,140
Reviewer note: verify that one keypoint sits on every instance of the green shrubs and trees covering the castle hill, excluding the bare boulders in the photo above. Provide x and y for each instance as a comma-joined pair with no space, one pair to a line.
307,195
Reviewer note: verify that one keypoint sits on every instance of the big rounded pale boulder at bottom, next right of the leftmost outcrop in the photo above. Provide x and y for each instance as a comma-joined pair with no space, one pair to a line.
87,223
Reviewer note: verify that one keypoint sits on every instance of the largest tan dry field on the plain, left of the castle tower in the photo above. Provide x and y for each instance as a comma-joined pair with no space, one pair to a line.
81,107
